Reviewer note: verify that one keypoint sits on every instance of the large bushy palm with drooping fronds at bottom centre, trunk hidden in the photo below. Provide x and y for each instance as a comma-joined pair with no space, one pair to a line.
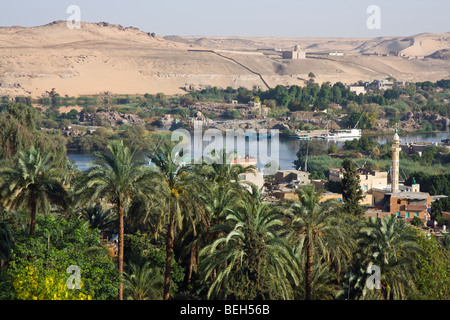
252,260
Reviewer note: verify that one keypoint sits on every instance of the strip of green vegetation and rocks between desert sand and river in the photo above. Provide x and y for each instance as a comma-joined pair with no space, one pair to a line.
87,122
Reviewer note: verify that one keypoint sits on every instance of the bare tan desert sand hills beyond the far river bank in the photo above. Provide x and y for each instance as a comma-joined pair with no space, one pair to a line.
101,57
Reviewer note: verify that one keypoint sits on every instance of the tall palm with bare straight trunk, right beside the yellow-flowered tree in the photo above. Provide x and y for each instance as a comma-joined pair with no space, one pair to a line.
118,178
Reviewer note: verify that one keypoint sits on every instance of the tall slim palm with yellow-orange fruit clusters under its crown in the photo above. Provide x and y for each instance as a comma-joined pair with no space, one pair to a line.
177,188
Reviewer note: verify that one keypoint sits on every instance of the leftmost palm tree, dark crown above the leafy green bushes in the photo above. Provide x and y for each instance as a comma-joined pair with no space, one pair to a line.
33,184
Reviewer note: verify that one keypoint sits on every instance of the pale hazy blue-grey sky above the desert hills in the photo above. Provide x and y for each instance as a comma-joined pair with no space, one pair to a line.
276,18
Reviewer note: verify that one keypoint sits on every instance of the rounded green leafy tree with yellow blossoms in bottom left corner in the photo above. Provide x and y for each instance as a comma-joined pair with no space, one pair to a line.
39,266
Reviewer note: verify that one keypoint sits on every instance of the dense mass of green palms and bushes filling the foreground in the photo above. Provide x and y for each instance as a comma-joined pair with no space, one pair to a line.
196,232
